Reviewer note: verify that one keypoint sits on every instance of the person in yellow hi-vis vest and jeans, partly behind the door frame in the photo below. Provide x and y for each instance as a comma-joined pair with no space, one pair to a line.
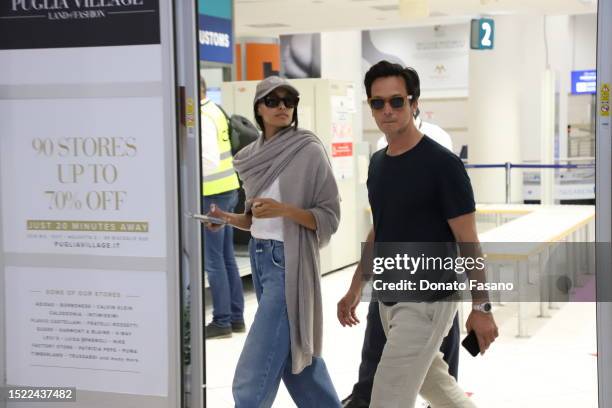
220,188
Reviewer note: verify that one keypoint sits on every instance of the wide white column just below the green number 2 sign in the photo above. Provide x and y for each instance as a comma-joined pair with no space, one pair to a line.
494,110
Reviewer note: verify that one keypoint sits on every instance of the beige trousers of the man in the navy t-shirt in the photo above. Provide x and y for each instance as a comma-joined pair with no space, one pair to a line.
411,362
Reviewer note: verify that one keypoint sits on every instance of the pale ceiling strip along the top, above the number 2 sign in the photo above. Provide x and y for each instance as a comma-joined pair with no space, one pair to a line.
274,17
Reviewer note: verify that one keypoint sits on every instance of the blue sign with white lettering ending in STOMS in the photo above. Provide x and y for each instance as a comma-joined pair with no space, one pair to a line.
215,39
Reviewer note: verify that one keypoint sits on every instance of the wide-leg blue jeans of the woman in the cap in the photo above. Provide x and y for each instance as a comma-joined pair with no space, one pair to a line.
266,356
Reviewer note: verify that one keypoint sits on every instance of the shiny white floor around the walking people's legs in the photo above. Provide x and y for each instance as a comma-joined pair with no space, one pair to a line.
555,367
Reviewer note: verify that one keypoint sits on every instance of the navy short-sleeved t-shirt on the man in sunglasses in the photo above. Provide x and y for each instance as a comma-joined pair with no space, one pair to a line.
414,194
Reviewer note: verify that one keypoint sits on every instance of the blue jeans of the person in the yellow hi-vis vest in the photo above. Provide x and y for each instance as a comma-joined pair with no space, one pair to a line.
220,263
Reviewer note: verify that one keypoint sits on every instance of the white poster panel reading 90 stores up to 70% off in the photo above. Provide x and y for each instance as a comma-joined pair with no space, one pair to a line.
83,184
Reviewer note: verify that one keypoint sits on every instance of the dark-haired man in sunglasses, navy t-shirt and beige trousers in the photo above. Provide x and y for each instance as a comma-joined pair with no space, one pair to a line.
434,202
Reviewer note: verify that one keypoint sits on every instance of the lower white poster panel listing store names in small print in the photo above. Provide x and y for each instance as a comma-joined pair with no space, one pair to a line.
66,322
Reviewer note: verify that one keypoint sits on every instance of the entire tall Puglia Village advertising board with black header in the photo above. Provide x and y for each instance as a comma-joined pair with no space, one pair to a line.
87,195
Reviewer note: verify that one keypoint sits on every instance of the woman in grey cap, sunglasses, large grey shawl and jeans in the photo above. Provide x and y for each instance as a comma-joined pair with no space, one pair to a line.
292,209
